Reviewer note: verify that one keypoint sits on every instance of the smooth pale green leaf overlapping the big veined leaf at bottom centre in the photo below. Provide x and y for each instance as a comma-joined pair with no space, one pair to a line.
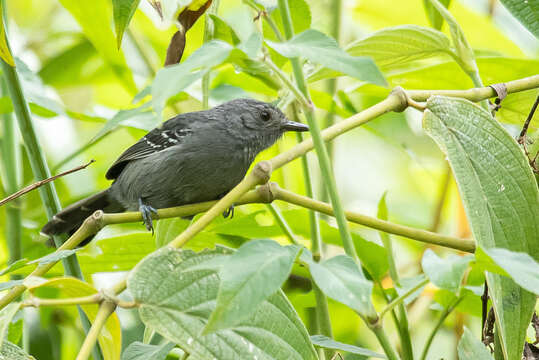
253,273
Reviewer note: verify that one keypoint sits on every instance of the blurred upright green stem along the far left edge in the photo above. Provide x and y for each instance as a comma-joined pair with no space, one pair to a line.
12,175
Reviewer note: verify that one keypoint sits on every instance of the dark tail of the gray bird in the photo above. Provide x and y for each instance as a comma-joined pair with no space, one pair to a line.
71,218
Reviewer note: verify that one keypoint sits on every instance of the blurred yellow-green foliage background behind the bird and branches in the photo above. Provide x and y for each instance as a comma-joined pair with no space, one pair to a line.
79,74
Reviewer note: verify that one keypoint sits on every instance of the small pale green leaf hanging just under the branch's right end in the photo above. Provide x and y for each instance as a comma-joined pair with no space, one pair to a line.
445,273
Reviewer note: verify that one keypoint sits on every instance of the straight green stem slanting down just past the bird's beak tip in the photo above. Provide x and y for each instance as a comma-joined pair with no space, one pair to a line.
321,151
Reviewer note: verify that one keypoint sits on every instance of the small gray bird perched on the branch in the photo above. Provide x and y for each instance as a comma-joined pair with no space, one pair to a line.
193,157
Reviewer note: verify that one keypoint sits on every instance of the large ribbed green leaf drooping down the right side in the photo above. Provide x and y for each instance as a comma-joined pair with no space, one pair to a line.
500,197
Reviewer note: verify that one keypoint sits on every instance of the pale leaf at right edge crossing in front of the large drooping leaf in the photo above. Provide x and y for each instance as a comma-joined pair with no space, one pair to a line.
520,266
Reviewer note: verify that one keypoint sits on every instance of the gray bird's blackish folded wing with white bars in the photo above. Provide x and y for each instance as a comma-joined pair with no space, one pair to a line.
171,133
